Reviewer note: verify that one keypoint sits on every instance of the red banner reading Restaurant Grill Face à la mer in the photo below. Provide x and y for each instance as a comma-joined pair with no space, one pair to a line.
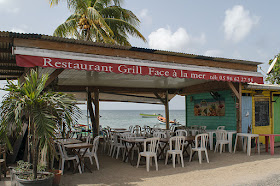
32,61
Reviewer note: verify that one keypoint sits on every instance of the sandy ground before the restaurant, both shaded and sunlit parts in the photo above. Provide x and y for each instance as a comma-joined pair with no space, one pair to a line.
223,169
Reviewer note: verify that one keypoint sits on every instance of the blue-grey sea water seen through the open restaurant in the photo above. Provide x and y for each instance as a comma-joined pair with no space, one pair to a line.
125,118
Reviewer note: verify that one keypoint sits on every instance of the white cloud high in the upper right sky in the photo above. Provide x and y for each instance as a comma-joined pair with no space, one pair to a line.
238,23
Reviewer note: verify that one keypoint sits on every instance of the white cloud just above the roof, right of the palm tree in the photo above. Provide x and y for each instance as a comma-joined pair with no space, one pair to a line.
179,41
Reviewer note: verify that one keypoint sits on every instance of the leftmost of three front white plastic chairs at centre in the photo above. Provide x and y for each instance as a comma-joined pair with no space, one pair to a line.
149,153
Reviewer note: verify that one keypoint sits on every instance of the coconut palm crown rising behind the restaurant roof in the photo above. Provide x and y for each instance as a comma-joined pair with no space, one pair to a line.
99,20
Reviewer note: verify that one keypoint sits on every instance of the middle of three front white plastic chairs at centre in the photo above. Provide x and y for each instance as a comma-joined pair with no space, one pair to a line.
176,149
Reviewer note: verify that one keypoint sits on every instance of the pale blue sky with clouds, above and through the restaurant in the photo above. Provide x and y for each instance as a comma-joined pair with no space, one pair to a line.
236,29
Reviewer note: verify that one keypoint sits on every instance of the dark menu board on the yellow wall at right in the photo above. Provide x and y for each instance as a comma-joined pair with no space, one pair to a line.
261,113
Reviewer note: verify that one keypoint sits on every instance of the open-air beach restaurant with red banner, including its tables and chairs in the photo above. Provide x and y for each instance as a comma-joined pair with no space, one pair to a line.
94,72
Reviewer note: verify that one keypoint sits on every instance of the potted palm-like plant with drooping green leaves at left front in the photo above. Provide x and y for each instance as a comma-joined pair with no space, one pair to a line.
44,110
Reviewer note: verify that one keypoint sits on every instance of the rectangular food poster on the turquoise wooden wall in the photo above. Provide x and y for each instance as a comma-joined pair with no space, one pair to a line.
209,107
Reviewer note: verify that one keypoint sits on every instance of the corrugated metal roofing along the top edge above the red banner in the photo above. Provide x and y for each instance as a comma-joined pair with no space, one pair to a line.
59,39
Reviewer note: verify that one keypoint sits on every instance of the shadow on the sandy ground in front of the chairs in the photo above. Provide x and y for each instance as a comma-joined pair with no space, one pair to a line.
116,172
